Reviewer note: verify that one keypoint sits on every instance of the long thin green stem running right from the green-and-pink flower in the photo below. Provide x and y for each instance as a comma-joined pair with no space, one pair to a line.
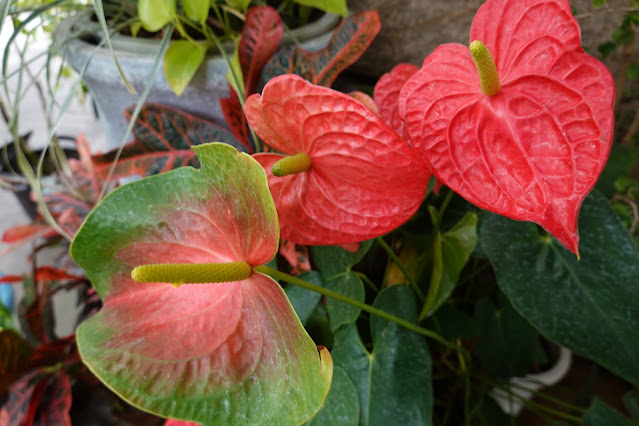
273,273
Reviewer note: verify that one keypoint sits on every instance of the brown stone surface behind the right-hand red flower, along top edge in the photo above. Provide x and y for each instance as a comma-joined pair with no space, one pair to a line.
411,29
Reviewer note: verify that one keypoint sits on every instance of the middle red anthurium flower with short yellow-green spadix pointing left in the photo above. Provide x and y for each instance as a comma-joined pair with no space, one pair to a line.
343,175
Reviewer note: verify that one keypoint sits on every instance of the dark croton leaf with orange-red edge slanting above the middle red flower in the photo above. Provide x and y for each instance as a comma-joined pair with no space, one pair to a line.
349,41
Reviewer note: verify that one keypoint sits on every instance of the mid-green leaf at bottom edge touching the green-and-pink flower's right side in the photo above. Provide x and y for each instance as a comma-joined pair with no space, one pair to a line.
341,407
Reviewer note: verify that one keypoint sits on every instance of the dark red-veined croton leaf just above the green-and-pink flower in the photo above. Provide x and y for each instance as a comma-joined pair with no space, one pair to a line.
163,138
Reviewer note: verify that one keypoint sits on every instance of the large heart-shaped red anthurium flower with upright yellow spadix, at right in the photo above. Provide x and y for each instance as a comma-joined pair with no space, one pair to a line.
521,122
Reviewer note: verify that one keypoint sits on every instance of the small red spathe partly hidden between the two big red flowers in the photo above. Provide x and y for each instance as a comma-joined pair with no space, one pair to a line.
386,96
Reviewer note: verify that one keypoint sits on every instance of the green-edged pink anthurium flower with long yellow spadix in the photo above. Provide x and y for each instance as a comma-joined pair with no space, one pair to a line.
228,350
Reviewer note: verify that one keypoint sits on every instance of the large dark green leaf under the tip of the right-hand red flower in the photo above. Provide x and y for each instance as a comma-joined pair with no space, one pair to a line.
590,305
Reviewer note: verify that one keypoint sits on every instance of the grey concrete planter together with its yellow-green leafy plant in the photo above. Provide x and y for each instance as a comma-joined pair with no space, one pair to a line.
195,61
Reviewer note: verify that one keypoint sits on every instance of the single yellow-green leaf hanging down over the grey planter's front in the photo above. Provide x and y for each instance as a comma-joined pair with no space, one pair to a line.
181,61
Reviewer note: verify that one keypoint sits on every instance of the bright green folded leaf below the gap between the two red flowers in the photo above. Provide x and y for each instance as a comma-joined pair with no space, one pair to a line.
451,251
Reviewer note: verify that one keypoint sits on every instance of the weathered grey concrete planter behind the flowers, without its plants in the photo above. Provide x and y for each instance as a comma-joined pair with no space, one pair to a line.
137,56
